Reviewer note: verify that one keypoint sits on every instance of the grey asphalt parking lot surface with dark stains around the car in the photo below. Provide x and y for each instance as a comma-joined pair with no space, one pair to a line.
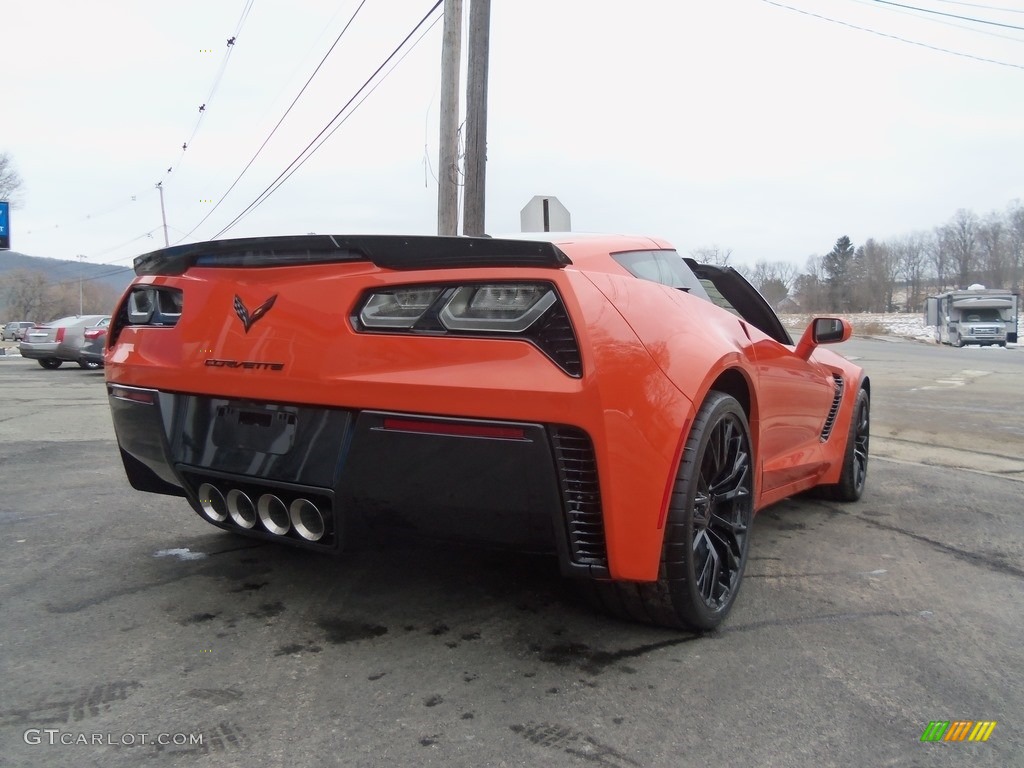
134,633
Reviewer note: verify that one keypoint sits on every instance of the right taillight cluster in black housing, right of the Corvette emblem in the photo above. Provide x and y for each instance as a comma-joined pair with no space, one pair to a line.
532,312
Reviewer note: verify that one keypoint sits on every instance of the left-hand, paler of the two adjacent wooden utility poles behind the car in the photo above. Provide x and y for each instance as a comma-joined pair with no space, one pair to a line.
448,170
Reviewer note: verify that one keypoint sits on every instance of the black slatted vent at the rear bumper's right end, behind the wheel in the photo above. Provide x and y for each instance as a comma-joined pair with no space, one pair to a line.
581,495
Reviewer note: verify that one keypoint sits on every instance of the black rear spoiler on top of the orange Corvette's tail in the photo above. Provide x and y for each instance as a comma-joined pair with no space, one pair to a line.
387,251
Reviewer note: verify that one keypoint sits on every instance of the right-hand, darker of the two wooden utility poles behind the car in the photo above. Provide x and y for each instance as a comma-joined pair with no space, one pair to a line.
477,117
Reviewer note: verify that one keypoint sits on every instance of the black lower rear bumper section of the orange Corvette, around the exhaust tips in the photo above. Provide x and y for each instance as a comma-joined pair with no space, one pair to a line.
525,486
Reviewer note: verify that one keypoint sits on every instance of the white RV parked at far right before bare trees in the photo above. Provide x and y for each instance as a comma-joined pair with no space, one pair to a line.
975,316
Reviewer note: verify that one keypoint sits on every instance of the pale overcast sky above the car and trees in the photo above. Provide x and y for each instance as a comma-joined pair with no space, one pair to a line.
737,123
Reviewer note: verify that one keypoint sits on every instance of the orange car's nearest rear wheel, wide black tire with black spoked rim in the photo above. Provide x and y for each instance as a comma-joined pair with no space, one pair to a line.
707,534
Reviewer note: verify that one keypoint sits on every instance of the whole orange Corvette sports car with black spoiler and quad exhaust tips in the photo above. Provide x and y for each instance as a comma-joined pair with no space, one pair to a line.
596,397
